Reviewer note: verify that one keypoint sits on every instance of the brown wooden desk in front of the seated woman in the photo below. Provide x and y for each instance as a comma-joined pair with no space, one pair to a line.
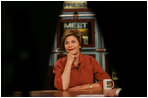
57,93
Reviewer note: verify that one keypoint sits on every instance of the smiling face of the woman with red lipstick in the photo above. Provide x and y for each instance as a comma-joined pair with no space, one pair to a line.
72,45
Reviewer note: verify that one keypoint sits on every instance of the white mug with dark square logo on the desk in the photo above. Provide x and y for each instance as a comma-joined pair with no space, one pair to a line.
108,84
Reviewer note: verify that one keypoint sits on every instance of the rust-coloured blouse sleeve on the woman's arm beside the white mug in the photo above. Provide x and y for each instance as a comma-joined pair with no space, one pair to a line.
99,73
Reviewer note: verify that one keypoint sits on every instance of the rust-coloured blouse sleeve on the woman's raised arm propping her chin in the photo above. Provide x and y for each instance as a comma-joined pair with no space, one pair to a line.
58,69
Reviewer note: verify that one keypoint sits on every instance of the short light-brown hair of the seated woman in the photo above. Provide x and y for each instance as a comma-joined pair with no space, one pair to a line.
76,33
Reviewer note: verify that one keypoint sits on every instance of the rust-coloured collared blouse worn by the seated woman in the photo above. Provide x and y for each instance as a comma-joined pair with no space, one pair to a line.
88,69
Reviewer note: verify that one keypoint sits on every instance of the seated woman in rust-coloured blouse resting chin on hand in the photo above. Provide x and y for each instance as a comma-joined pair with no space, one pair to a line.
77,71
